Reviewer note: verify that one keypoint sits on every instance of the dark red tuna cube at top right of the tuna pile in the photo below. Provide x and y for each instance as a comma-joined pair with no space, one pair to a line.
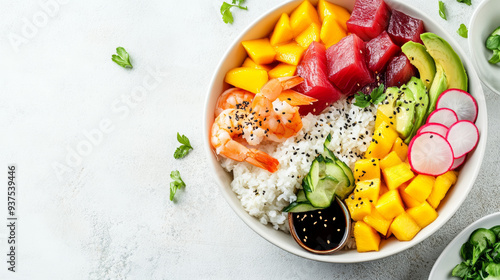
403,28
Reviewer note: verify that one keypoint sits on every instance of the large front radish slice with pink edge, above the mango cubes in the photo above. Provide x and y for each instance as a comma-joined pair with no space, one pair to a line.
430,154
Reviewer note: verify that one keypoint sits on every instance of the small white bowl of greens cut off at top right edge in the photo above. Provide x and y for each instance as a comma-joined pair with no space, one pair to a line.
484,20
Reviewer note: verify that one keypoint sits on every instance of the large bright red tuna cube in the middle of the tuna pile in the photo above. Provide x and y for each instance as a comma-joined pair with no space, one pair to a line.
347,66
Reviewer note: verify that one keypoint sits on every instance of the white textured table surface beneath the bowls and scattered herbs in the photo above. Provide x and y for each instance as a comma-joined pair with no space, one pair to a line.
106,214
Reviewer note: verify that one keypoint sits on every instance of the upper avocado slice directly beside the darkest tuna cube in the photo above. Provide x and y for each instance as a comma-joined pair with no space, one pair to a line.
420,58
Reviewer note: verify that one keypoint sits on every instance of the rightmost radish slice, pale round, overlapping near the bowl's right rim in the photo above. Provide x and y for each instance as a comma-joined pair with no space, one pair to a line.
463,137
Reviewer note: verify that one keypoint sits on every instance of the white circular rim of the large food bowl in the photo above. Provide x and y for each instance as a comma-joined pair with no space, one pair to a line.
256,226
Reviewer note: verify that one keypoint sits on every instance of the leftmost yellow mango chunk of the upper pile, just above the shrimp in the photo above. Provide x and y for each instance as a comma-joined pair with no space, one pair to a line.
247,78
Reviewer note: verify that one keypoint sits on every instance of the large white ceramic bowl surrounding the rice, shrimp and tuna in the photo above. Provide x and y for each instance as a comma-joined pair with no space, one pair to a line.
234,57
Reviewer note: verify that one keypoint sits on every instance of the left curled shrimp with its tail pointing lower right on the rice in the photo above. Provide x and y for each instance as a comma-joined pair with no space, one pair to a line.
229,125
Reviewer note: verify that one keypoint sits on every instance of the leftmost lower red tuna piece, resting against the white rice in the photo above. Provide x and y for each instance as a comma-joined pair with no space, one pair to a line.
316,84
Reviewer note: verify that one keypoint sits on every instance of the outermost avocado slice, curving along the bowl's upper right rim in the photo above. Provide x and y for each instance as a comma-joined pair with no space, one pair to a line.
445,56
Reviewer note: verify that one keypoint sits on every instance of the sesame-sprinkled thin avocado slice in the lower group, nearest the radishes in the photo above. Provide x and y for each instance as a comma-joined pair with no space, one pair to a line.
417,86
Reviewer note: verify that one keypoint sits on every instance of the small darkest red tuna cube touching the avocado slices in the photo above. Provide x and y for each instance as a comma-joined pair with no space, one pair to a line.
399,71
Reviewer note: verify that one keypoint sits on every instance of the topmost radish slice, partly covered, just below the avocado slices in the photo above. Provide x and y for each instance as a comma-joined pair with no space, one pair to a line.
461,102
